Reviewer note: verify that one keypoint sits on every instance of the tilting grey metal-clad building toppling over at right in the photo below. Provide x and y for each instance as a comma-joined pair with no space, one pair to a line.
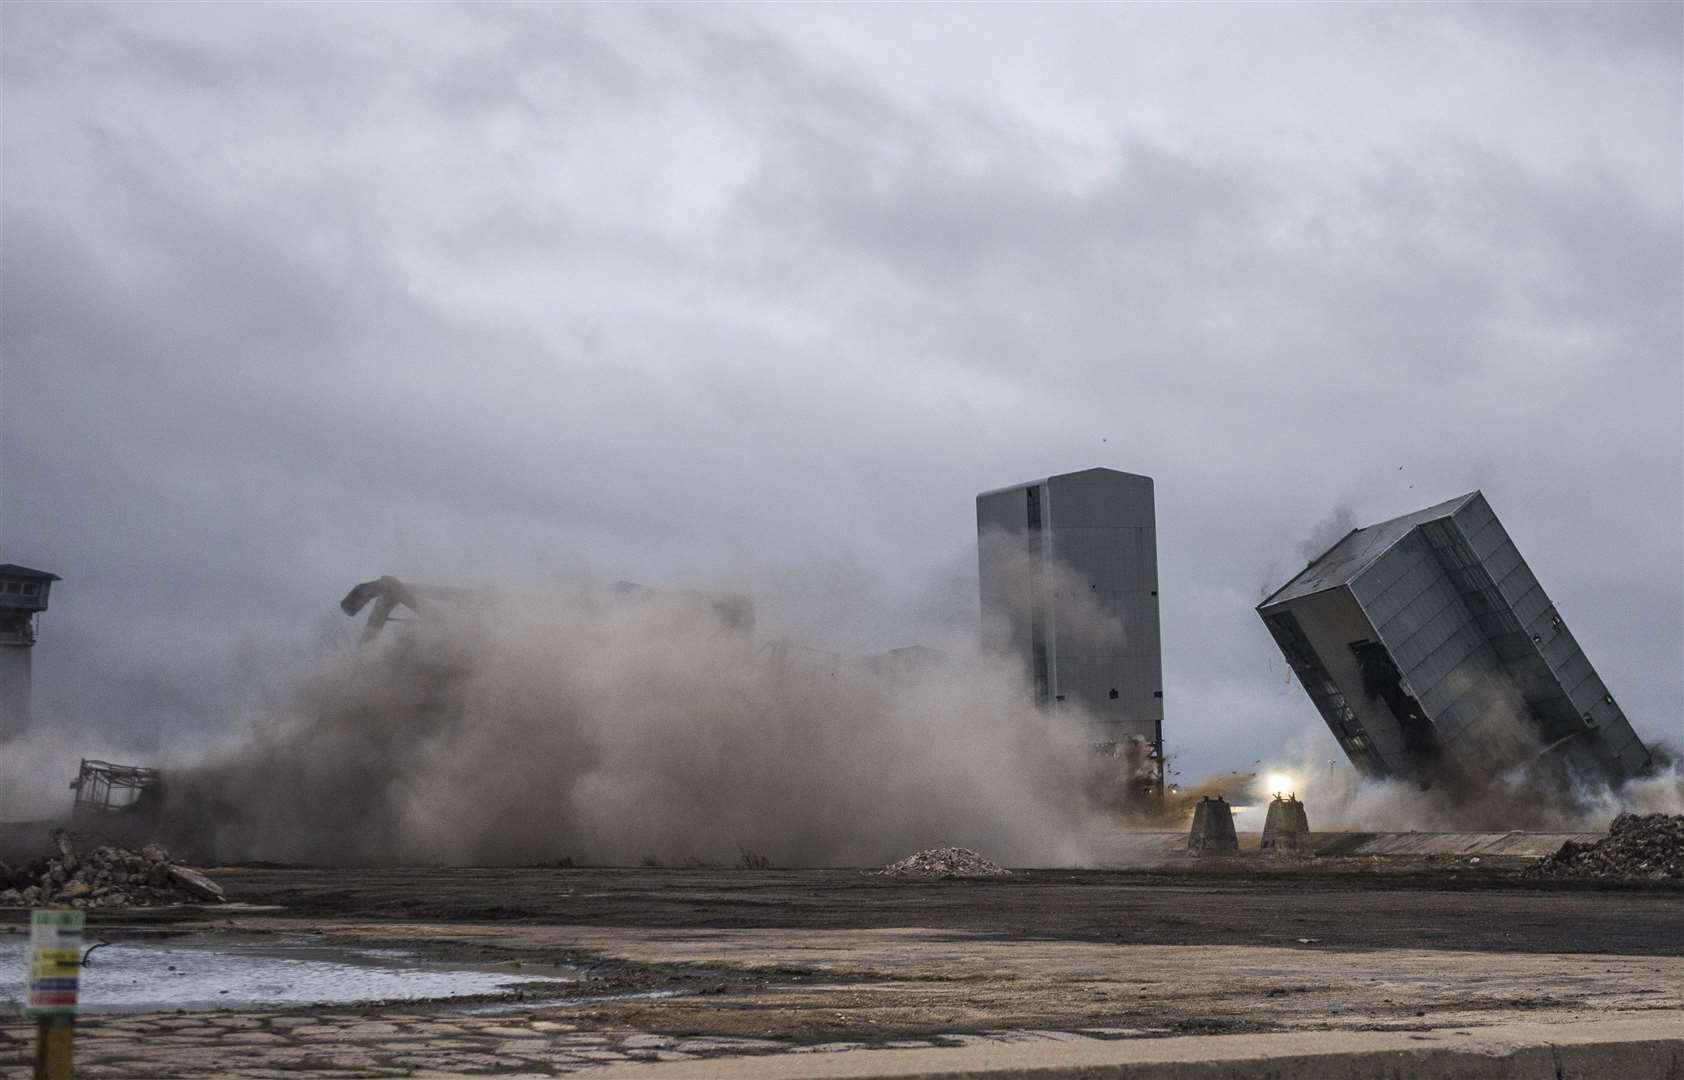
1432,653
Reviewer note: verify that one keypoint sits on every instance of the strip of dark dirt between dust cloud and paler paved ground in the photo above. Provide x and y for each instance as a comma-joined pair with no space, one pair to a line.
1242,902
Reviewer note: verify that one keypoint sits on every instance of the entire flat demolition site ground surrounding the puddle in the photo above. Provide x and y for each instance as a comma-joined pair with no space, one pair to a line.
846,973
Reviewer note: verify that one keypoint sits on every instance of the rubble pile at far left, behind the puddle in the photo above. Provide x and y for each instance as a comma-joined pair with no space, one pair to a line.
105,877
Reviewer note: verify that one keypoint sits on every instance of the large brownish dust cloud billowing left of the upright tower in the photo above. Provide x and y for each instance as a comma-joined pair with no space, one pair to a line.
602,730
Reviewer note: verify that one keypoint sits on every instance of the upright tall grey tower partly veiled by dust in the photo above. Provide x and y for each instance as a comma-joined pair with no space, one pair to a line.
1068,579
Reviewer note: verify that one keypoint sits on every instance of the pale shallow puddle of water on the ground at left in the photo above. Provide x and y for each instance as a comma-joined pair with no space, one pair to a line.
225,973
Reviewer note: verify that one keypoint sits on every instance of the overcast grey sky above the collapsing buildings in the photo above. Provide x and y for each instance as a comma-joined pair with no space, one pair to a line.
755,296
